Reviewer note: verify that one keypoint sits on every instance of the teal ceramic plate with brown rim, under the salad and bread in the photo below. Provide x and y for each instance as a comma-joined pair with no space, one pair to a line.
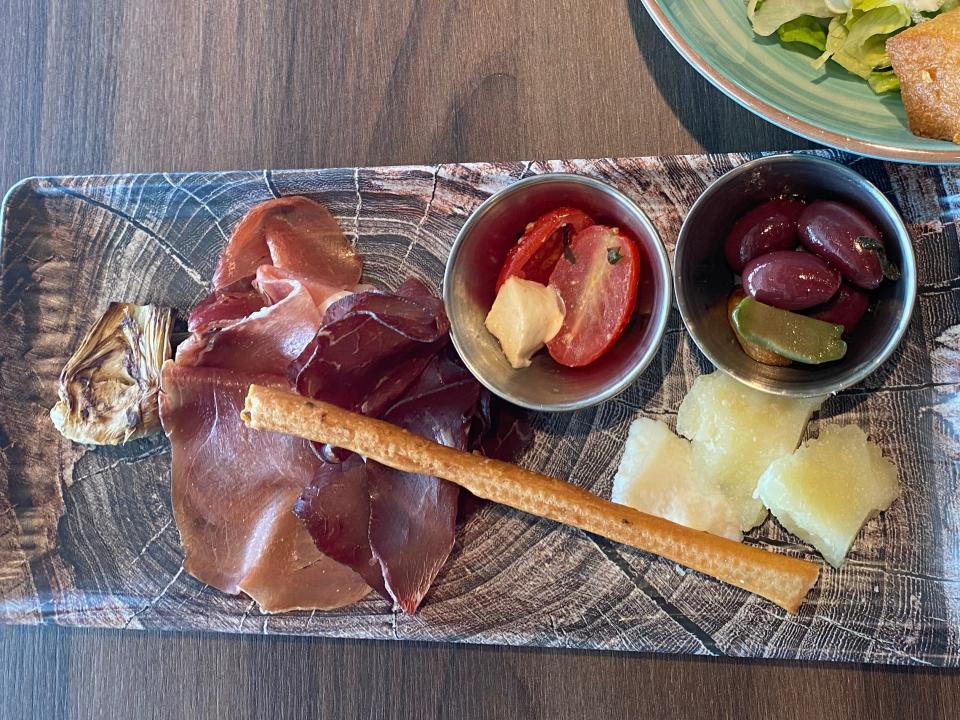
780,84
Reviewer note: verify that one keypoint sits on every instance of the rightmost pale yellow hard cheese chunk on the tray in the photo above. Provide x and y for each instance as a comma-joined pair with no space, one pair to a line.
826,490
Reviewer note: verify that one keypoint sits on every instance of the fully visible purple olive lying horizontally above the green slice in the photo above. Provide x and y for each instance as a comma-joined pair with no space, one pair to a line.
790,280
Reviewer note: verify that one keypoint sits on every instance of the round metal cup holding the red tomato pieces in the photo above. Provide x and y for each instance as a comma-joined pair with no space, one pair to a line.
475,261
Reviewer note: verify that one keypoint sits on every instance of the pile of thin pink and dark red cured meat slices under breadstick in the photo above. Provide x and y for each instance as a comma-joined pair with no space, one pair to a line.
259,512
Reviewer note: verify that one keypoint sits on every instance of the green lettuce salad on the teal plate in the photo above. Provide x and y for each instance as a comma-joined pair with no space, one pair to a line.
851,33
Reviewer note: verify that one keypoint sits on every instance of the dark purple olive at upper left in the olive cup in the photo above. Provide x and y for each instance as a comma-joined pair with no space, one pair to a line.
768,227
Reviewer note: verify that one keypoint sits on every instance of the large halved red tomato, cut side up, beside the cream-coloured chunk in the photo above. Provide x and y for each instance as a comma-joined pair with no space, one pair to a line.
599,291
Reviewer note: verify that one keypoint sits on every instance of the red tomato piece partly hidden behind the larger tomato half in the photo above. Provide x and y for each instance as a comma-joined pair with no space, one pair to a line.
536,253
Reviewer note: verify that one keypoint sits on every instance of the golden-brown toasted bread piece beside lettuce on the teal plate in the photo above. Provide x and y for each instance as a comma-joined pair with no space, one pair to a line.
926,58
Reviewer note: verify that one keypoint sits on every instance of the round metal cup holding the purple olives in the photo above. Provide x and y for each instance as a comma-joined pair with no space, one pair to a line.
703,280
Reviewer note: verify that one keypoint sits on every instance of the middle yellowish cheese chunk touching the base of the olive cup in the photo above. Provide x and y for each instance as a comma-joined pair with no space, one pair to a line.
737,432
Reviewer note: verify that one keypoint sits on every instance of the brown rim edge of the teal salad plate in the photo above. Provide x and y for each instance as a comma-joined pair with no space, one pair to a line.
768,112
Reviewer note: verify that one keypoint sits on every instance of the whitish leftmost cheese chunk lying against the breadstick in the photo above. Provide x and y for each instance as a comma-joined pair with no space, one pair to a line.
656,477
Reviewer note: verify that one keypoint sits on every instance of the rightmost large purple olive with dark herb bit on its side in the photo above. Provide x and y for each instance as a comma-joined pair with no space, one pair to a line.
833,230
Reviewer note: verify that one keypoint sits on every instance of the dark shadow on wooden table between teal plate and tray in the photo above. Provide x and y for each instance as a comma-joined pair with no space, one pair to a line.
720,125
